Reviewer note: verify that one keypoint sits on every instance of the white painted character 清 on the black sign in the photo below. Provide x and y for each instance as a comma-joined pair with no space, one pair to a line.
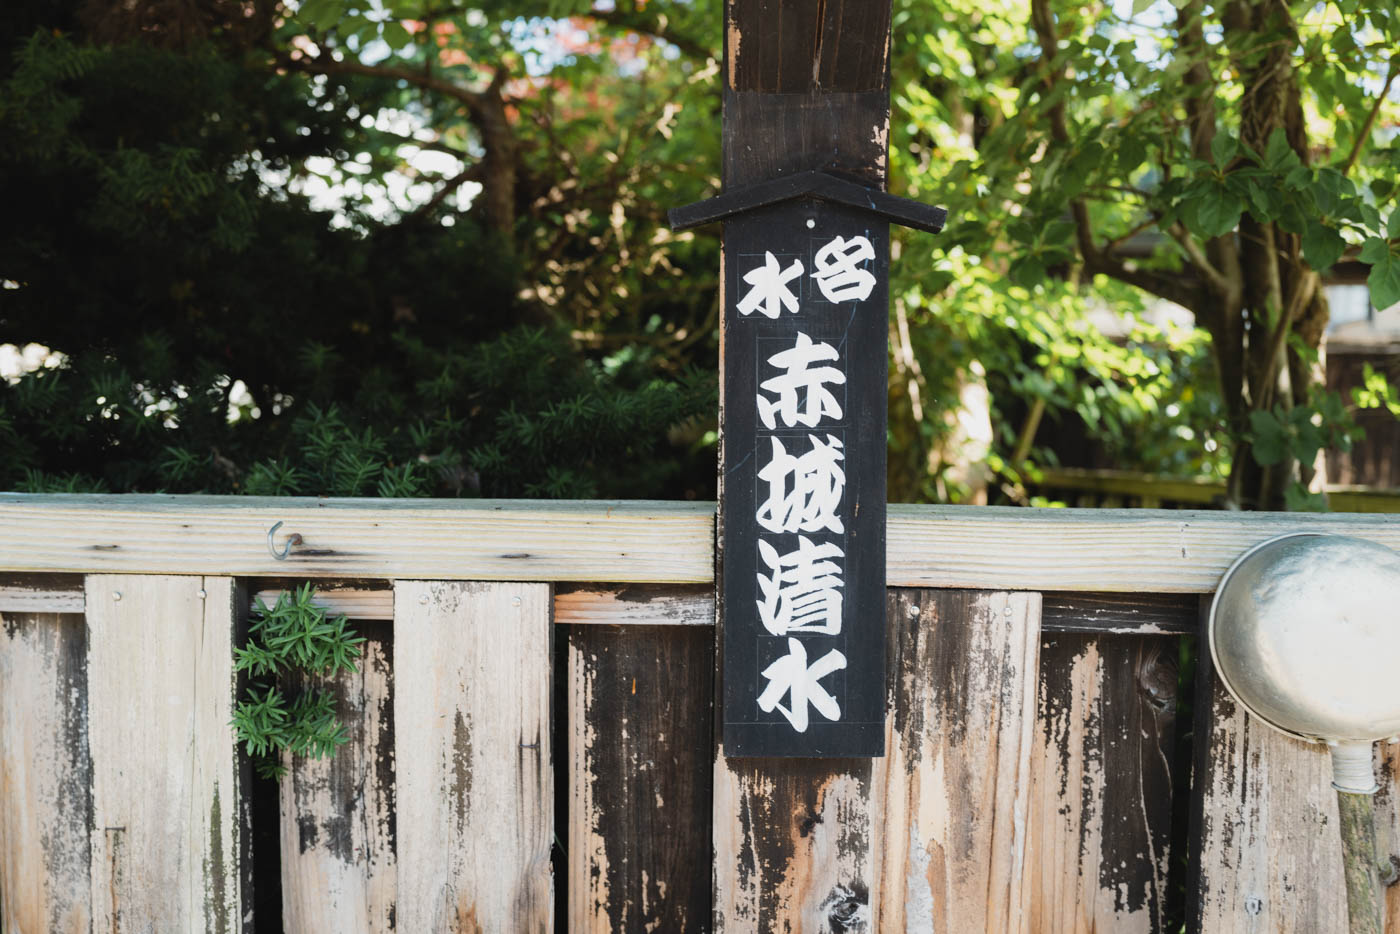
804,596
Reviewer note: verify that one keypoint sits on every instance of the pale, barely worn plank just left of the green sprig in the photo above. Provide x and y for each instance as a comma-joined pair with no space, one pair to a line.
166,788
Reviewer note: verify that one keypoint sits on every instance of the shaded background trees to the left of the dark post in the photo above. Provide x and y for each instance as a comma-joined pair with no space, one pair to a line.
254,281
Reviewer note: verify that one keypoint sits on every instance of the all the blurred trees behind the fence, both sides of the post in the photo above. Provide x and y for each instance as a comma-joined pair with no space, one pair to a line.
409,247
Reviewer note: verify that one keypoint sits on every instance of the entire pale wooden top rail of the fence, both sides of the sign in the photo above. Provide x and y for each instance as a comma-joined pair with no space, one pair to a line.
629,543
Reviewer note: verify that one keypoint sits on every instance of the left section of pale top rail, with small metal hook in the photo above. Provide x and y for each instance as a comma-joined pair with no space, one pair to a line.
405,540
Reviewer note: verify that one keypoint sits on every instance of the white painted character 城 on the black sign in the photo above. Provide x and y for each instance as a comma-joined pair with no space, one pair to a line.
804,492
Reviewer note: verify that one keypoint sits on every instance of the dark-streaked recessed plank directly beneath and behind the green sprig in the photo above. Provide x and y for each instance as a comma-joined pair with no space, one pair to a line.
338,862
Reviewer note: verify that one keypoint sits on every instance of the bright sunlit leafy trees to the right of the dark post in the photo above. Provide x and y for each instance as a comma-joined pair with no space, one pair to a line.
1077,145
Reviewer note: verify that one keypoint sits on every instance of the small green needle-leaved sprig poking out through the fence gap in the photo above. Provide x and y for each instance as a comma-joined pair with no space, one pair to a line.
290,645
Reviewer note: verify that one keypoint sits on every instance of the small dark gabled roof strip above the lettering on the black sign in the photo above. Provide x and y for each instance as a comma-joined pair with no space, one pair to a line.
814,184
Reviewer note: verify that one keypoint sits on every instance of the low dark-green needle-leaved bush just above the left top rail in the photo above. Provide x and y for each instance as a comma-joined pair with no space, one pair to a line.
521,415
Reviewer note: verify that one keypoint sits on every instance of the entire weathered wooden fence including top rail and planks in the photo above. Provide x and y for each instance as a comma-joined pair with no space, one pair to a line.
531,732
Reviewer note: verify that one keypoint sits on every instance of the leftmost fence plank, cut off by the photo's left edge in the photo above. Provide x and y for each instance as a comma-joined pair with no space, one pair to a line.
44,775
